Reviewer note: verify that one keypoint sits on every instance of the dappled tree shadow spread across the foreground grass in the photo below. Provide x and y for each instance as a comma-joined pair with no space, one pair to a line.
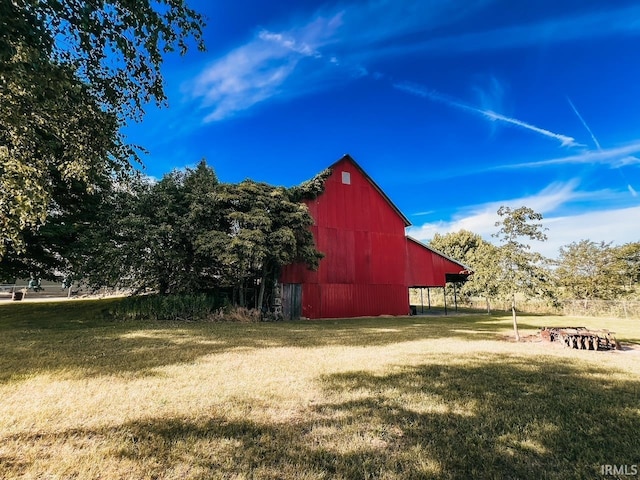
496,417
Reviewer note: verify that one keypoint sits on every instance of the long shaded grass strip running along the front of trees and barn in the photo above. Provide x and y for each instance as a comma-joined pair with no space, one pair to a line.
79,339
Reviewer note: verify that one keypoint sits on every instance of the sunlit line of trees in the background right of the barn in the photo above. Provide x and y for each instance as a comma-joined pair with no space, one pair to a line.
584,269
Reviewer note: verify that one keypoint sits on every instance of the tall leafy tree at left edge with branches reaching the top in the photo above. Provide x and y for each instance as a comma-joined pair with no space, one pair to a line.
71,73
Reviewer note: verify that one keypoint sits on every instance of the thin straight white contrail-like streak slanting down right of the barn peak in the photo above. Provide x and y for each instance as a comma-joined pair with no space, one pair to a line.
435,96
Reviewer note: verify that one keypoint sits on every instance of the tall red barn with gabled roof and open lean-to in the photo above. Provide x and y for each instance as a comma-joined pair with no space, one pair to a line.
369,263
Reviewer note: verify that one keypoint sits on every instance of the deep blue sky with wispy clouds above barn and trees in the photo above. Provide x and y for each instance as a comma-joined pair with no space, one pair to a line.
453,107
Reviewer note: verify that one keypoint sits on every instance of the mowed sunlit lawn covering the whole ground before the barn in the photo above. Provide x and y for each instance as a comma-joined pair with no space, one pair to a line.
83,396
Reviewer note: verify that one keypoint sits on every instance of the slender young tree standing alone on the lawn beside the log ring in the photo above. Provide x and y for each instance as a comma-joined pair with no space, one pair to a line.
522,270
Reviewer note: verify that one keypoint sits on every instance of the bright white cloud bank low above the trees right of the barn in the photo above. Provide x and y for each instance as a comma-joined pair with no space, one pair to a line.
607,225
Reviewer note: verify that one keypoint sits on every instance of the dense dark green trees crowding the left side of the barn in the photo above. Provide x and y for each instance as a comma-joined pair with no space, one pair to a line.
187,233
